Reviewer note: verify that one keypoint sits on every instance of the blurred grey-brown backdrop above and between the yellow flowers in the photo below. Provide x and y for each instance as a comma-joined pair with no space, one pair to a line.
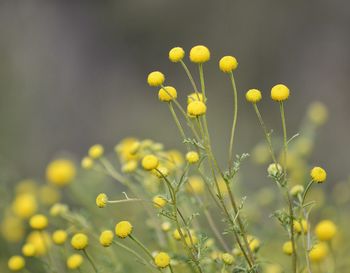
73,73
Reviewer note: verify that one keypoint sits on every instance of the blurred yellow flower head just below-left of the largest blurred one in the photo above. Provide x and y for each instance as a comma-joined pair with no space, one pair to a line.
24,205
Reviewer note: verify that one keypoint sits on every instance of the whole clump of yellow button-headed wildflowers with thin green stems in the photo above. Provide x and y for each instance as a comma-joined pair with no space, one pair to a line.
197,221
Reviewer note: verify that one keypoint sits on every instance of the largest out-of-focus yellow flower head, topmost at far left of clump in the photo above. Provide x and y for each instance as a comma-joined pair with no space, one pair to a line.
60,172
